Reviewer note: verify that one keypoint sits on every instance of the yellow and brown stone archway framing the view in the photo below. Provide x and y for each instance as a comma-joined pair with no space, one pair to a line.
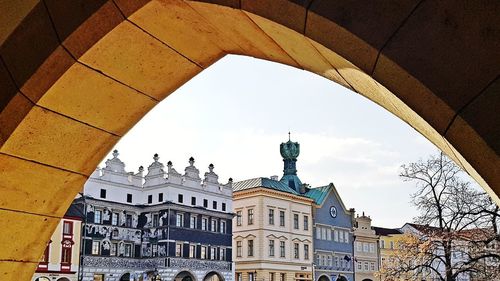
77,75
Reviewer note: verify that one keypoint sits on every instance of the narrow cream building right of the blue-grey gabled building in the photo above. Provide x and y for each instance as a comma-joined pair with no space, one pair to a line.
366,252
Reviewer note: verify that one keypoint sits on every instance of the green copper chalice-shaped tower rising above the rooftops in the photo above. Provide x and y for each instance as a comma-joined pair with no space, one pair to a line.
290,151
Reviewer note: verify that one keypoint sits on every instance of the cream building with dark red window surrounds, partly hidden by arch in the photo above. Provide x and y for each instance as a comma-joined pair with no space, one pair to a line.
61,258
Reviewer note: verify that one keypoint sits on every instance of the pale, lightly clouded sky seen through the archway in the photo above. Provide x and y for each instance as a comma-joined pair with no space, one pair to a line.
236,113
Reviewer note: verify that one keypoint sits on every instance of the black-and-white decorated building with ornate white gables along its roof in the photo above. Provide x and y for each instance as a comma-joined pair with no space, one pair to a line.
160,226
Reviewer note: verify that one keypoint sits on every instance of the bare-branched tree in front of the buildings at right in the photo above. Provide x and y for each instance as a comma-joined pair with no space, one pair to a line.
456,235
